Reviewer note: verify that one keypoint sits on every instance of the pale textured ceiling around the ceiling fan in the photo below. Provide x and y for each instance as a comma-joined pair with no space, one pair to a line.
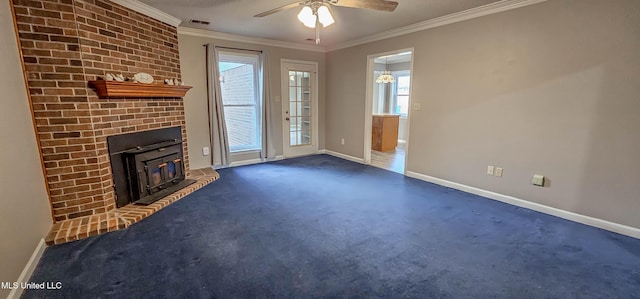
236,17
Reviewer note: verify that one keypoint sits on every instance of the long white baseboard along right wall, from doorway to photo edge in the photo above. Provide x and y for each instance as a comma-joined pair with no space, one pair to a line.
588,220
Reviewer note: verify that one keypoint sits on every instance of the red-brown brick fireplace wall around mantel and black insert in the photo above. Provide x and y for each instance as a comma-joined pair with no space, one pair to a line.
66,43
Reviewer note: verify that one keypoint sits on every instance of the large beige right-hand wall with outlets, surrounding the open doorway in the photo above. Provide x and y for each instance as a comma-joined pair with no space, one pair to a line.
552,88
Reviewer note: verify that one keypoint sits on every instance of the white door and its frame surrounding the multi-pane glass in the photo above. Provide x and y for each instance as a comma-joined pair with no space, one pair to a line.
284,79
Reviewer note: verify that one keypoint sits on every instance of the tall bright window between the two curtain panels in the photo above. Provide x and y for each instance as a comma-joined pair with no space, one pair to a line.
241,100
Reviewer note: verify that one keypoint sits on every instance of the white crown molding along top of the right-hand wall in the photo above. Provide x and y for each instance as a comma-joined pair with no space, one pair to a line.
472,13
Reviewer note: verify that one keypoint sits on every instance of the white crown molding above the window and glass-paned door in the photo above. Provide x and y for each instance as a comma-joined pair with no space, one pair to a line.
248,39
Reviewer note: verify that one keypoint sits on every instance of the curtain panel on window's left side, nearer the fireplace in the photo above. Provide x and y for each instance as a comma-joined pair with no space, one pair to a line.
219,138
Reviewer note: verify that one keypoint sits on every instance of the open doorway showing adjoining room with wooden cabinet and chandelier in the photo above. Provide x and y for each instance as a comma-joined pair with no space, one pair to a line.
388,102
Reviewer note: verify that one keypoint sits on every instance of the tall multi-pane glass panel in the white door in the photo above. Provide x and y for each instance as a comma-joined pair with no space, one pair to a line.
300,113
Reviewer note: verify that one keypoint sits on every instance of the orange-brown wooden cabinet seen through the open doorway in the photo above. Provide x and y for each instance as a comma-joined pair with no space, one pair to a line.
384,135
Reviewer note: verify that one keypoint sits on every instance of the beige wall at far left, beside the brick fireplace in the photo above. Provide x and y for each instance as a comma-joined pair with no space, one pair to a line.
25,215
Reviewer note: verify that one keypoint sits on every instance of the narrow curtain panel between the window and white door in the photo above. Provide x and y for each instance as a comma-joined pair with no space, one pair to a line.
268,148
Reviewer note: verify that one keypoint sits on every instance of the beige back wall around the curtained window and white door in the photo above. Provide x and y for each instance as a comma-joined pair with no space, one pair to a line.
192,63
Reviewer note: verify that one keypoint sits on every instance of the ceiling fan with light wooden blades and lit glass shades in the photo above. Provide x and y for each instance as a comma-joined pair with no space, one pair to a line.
315,12
